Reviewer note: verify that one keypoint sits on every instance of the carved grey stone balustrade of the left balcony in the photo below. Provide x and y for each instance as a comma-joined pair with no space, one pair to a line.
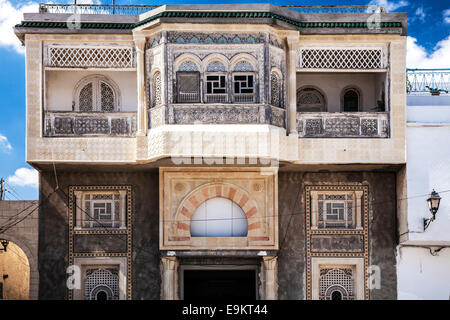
75,124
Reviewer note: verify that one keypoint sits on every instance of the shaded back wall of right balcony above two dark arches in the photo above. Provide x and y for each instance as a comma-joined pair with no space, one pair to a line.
332,84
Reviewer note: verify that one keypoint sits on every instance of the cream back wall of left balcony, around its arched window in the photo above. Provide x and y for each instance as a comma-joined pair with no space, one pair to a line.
60,86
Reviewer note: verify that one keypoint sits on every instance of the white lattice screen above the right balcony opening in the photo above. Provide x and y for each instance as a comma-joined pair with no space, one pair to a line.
342,58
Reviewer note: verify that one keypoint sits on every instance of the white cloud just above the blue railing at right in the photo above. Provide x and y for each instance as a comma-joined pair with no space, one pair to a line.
418,57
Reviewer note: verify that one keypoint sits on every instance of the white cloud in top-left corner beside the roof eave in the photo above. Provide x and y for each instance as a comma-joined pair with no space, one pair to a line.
11,15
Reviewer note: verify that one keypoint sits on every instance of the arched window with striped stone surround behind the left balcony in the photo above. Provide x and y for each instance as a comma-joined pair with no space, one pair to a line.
96,81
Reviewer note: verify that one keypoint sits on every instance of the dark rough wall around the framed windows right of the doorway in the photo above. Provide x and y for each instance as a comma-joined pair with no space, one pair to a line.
382,228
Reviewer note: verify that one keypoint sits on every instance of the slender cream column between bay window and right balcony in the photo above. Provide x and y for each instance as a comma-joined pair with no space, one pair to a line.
291,107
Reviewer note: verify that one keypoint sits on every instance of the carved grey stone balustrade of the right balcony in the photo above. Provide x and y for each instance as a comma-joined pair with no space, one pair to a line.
343,124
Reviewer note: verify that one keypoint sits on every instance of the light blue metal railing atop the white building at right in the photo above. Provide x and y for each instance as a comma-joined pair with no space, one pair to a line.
427,81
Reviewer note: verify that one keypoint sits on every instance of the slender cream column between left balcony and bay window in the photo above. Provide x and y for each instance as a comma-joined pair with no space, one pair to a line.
140,72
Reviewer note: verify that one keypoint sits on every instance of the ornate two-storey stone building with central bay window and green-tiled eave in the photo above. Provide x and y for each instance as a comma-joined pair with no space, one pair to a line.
255,149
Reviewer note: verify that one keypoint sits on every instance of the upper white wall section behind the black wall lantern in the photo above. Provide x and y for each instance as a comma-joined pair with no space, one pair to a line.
428,167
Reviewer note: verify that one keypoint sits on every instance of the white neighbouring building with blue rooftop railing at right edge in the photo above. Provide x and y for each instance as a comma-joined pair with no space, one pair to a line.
423,255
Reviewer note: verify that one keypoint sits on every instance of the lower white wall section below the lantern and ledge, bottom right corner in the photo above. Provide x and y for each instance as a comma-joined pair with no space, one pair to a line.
421,276
